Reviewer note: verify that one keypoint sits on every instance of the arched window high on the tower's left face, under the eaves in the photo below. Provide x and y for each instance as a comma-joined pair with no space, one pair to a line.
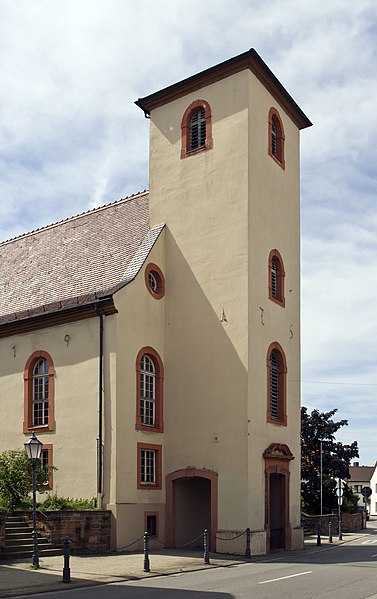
196,128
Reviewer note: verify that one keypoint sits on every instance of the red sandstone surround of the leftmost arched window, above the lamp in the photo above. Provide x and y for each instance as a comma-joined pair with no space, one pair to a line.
28,424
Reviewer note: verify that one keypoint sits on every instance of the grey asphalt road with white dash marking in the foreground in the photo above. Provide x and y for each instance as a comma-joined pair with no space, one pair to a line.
346,571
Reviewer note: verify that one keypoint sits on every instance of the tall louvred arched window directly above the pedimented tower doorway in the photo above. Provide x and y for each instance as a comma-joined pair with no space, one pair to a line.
276,385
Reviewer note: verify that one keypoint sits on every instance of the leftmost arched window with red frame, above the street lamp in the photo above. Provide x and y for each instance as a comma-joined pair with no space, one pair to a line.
39,392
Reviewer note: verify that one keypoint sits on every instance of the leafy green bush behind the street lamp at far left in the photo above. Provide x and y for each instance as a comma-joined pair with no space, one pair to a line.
16,479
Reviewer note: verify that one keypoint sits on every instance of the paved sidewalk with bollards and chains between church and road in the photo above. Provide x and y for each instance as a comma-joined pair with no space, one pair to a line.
19,579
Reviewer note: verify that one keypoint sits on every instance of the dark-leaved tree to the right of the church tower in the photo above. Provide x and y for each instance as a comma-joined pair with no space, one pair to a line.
336,459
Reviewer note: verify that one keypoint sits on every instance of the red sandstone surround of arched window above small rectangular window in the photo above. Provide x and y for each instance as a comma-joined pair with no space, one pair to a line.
158,425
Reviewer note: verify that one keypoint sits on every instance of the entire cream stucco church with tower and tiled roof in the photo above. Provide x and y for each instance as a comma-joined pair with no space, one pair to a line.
153,344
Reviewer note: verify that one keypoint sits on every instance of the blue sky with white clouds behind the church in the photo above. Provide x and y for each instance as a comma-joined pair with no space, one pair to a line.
71,139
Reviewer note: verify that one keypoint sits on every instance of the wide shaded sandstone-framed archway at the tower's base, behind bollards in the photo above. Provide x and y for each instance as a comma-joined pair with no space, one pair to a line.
191,505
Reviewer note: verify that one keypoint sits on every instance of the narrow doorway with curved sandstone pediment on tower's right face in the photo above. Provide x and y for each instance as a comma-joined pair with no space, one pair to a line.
278,530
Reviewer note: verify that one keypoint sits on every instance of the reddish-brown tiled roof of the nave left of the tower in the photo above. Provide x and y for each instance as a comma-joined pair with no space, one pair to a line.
76,260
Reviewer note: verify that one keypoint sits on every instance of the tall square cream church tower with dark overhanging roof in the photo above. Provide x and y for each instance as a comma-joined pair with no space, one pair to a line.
225,179
